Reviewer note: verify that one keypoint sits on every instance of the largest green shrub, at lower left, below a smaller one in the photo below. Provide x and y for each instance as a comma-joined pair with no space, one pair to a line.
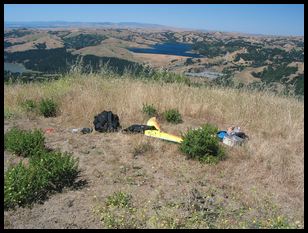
46,172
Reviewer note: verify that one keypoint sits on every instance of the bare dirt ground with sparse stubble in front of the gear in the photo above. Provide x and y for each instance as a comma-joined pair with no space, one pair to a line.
110,162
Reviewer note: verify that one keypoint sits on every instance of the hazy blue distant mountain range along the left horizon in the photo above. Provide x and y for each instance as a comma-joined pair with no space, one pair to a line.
60,24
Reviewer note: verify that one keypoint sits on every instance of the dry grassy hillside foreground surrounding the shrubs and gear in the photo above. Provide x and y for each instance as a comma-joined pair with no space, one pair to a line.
259,185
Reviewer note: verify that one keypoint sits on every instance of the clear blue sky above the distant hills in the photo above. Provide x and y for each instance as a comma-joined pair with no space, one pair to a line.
272,19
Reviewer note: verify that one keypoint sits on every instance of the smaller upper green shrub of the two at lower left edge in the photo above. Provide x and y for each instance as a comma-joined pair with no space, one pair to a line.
22,142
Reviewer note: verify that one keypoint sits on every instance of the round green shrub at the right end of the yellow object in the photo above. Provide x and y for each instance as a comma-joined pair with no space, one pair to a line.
202,144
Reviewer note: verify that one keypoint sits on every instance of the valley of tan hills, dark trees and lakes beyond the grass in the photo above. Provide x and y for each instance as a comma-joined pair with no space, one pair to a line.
241,59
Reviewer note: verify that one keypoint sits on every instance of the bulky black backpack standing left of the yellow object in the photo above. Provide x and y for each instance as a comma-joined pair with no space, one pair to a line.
106,121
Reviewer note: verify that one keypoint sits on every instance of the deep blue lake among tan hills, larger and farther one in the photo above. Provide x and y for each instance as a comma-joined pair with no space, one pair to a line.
179,49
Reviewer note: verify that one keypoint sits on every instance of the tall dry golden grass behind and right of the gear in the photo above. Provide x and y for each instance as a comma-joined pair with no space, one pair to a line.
270,164
